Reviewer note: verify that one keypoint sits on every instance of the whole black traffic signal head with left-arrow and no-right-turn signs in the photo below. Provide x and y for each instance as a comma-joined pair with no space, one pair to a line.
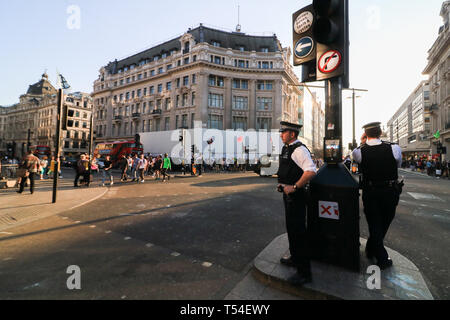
321,40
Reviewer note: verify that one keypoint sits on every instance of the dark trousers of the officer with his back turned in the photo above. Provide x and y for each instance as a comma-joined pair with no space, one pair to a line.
379,208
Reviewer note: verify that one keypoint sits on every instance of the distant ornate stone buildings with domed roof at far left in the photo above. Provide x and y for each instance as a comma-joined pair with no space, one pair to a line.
32,121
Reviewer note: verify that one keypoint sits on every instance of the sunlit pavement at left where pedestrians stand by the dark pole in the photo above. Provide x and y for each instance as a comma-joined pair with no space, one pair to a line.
18,209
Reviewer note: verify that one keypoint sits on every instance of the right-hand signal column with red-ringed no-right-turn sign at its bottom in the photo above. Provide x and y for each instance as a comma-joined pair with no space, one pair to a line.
330,31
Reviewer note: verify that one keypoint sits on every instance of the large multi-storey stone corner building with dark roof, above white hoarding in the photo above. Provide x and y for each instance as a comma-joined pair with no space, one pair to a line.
226,80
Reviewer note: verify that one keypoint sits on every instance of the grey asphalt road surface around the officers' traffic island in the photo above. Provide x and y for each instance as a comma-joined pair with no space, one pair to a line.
192,238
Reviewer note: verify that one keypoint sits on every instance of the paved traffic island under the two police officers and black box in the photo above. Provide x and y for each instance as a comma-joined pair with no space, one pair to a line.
403,281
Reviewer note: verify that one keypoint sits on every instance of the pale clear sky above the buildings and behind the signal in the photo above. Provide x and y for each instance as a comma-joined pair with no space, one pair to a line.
389,41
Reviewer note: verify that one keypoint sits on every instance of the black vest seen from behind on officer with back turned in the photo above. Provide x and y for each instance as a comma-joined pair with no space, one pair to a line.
378,163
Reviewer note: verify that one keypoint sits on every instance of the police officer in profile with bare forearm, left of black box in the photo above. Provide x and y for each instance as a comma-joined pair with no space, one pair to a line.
295,171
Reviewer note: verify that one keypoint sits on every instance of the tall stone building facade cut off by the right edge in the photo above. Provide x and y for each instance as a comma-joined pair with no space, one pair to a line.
438,70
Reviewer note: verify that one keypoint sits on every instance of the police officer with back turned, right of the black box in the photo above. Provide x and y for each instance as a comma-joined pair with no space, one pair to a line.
379,162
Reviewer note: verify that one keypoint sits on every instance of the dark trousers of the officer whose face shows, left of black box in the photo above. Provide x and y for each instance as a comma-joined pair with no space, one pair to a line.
295,210
